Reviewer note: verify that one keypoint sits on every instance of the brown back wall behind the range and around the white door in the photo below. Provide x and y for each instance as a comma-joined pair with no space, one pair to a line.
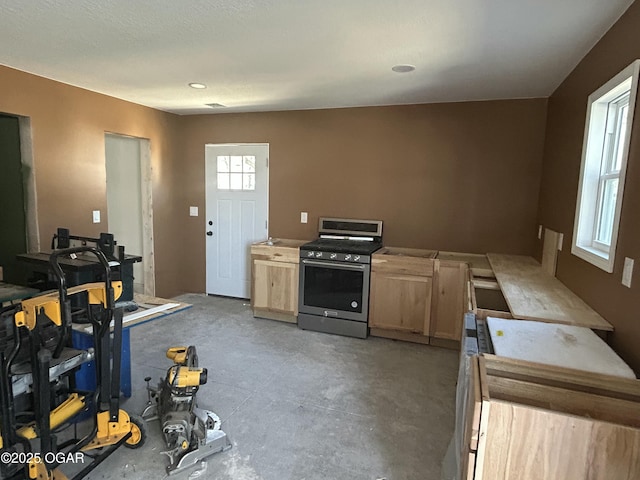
458,176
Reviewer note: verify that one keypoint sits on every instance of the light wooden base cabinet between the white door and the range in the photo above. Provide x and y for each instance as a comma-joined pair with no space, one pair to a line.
274,280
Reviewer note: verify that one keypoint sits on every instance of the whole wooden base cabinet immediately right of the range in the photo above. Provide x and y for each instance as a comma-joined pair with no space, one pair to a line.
400,294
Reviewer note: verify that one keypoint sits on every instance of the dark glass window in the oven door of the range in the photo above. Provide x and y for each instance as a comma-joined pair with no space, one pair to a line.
334,288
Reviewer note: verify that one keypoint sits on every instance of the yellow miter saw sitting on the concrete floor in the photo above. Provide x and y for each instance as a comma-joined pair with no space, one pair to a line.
191,433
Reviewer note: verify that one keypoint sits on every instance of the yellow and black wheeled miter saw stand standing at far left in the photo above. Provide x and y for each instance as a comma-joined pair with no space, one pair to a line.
40,406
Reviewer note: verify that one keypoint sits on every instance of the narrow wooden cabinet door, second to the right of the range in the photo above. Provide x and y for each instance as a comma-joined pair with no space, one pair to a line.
447,311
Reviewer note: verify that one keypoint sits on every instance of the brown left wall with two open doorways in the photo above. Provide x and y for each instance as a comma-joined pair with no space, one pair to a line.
68,125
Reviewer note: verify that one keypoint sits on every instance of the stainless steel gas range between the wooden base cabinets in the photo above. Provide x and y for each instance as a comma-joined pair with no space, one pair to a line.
334,276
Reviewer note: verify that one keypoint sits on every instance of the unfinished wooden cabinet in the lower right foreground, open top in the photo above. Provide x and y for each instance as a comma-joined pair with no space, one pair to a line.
525,421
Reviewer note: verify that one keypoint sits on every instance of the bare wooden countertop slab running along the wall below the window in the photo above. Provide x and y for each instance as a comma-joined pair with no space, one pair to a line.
533,294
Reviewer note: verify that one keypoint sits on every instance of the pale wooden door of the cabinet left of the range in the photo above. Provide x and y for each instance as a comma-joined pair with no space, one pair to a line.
275,286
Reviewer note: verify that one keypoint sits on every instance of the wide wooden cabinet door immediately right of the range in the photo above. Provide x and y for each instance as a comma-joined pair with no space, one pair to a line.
400,302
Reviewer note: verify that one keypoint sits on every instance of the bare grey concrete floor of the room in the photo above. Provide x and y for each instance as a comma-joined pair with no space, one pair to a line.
297,405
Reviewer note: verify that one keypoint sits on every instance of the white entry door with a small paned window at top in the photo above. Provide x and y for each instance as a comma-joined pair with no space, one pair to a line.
237,180
